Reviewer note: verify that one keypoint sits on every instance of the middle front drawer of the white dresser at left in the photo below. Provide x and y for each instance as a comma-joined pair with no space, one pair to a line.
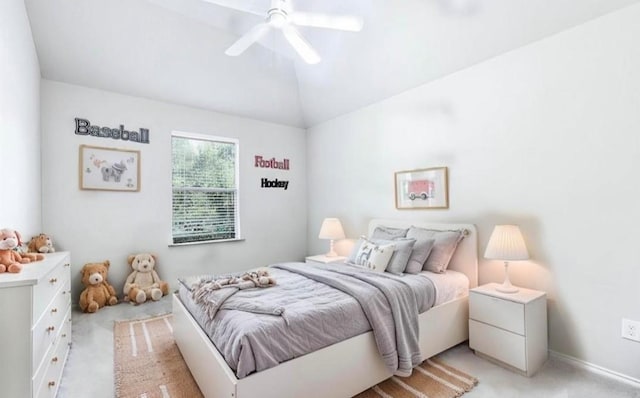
50,324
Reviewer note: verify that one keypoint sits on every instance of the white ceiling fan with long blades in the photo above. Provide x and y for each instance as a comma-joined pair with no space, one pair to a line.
282,17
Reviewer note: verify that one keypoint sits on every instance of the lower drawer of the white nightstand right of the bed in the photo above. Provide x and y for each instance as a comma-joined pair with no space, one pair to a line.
499,344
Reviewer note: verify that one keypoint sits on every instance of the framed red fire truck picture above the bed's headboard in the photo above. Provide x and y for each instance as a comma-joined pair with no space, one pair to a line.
422,189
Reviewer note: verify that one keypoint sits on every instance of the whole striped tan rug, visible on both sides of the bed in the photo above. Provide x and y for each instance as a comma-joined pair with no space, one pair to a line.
148,364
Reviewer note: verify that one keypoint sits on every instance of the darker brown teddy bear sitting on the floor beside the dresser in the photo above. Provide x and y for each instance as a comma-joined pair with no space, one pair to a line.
97,292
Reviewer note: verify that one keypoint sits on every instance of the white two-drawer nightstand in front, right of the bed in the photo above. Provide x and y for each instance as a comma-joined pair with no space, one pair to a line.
509,328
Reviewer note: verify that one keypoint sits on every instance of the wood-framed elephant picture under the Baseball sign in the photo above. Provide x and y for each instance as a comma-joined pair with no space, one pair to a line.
109,169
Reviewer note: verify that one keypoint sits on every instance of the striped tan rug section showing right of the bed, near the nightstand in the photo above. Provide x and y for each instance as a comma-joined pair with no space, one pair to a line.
431,379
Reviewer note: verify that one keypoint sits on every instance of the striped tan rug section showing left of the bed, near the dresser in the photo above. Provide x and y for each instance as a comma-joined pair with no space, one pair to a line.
147,362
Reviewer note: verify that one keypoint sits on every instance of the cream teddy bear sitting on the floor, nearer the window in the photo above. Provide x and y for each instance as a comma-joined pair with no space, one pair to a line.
143,283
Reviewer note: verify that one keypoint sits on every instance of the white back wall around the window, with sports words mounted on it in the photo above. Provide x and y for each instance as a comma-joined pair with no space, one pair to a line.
99,225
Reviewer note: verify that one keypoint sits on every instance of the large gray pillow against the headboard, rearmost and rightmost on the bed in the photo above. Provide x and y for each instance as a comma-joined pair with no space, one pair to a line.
445,245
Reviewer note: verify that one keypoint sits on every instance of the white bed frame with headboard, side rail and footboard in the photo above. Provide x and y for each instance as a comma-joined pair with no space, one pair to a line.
341,370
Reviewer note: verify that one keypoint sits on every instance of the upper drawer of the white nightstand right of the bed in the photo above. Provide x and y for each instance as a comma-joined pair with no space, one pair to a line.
494,311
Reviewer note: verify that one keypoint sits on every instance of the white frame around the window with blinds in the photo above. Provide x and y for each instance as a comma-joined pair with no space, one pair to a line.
211,138
